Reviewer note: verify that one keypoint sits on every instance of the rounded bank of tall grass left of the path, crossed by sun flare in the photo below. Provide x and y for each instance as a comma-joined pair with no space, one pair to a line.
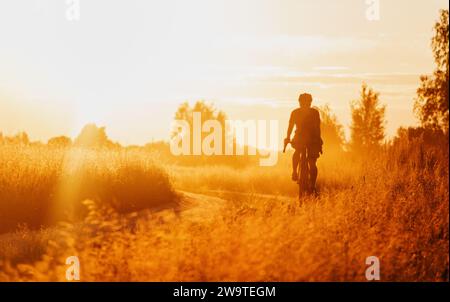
40,185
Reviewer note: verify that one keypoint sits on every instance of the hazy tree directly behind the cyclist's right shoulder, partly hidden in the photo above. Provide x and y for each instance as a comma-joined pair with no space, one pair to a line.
331,130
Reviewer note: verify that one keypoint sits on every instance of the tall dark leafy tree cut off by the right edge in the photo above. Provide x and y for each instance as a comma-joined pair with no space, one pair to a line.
431,105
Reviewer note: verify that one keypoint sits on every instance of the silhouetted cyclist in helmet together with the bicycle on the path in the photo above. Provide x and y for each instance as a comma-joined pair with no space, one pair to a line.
307,143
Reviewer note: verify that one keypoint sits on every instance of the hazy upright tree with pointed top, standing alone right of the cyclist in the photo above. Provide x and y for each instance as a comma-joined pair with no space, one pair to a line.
368,120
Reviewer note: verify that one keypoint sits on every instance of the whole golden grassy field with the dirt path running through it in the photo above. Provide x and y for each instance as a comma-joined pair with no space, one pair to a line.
132,215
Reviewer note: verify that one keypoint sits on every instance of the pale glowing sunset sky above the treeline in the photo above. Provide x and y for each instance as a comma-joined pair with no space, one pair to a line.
127,65
